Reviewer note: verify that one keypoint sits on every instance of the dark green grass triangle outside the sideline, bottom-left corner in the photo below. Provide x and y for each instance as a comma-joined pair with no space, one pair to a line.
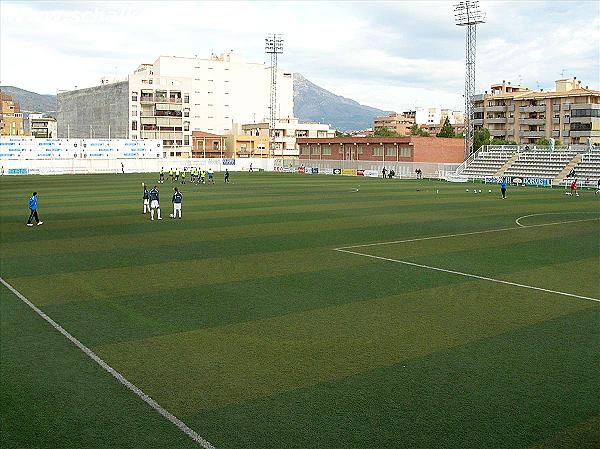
54,396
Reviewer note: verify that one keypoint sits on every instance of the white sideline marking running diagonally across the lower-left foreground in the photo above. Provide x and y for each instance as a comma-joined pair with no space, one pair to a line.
143,396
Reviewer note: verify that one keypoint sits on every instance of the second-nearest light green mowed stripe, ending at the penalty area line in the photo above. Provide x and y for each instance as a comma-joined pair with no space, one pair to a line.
111,282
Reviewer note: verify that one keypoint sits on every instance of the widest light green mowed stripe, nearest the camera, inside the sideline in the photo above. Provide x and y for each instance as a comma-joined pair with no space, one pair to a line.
249,360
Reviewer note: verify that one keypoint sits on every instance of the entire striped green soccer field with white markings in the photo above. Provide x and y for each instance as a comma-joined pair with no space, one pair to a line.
293,311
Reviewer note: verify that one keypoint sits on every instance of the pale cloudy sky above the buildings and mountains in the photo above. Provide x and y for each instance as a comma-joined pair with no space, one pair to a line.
393,55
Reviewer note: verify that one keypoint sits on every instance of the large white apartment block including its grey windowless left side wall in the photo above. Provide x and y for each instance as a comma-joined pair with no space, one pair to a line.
174,96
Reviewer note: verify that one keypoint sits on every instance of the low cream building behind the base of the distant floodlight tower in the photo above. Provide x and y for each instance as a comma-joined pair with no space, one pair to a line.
286,132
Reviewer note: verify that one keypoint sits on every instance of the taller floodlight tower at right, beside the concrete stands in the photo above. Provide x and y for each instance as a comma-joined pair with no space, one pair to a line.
468,14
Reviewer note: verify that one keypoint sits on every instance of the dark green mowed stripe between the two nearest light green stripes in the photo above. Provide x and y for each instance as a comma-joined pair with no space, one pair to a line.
158,312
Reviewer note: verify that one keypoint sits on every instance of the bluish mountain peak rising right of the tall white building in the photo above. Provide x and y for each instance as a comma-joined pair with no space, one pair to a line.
313,103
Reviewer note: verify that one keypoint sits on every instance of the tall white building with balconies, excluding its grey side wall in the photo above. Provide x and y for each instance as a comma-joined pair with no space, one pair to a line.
177,95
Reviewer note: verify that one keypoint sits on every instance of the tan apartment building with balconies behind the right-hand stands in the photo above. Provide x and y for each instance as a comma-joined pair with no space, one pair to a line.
570,114
